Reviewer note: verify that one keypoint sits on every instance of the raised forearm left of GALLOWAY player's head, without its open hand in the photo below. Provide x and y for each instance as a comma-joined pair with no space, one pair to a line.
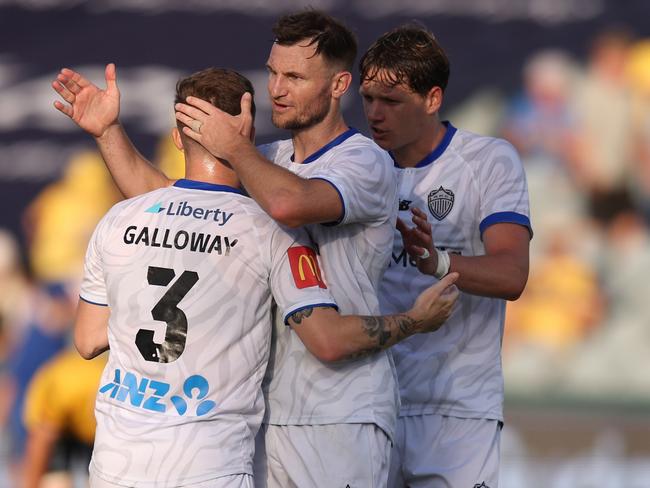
132,172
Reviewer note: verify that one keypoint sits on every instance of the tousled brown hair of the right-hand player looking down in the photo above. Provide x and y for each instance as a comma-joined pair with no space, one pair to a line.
408,54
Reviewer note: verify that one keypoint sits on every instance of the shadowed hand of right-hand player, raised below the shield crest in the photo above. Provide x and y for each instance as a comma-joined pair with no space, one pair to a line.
418,241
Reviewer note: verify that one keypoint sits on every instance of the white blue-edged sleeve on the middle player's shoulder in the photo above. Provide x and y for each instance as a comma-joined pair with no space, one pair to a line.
364,176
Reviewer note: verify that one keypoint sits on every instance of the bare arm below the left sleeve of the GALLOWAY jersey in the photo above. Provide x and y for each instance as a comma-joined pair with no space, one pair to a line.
91,329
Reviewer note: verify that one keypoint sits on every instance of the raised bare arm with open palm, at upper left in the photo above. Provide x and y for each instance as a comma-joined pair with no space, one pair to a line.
97,112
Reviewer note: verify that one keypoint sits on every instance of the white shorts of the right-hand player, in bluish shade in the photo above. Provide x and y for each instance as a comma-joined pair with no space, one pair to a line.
436,451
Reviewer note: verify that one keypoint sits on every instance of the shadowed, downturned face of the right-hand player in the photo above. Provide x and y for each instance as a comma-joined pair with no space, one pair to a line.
396,115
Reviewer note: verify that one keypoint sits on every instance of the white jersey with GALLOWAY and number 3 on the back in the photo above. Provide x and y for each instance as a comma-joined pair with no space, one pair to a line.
187,272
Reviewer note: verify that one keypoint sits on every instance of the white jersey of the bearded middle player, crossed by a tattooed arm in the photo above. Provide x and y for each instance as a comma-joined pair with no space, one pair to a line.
354,252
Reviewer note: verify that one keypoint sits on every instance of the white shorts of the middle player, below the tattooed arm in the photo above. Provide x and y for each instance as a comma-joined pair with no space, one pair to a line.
318,456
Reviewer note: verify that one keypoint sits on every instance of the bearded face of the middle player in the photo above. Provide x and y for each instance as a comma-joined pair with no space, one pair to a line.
300,86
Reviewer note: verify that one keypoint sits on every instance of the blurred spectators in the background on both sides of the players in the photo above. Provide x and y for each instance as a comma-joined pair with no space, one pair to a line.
582,327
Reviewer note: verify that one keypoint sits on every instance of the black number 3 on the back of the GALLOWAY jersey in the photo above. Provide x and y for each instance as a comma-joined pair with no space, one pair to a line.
166,310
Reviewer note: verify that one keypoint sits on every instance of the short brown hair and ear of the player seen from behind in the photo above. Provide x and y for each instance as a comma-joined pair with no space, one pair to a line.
222,87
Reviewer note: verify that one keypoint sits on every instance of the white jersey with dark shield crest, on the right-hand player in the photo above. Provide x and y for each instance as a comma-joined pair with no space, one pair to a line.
465,185
